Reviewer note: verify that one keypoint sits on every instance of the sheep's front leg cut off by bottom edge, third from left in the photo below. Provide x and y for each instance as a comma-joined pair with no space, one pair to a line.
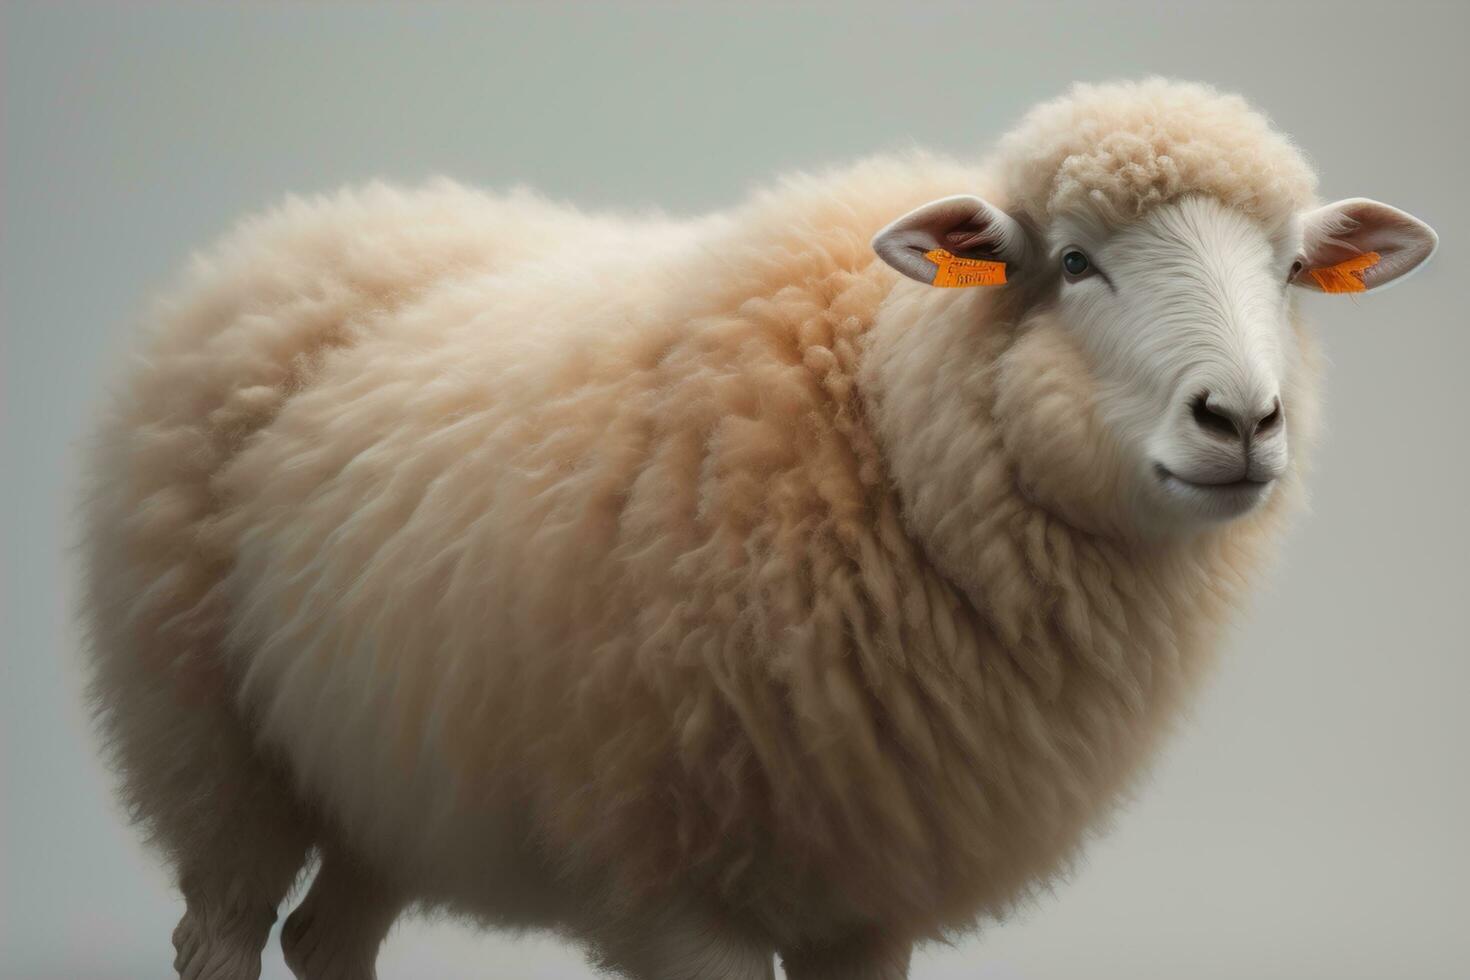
684,945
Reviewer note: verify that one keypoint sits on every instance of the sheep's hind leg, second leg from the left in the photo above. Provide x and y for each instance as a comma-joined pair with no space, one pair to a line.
336,932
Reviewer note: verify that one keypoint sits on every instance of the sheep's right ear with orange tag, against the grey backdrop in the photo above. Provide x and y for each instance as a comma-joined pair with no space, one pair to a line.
1358,245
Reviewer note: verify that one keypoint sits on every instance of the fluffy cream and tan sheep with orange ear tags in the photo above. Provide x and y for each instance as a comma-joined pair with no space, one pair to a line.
717,590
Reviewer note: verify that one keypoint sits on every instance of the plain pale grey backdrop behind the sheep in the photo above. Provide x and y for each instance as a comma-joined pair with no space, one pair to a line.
1309,822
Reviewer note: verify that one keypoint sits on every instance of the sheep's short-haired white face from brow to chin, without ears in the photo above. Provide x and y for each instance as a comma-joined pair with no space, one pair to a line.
1187,321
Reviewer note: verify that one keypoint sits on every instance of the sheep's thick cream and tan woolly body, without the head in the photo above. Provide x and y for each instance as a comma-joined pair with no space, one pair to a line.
555,569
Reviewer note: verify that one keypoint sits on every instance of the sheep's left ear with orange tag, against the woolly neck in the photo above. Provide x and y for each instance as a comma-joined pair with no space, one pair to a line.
956,242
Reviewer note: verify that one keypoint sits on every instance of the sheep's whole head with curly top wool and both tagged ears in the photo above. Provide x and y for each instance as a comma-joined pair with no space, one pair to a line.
1161,234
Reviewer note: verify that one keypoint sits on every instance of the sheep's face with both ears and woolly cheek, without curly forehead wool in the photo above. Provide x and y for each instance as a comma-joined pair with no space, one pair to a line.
1177,334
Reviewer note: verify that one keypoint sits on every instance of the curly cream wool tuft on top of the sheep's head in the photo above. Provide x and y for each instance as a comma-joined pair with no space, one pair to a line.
1122,149
